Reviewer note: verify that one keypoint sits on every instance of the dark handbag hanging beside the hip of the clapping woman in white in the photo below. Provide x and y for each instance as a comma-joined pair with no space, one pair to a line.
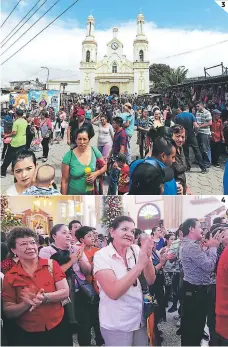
149,304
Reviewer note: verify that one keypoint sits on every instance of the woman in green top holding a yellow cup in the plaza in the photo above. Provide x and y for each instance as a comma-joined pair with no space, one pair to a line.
77,162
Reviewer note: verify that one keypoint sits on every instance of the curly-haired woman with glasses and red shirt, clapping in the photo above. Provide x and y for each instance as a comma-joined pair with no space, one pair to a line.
32,293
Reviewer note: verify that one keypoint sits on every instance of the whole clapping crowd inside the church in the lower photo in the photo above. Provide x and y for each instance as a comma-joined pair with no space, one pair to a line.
75,280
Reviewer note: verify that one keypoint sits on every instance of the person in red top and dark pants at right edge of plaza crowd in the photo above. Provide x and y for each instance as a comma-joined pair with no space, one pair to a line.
216,137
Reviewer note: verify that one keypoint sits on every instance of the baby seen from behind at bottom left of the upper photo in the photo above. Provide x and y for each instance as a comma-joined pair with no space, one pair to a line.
44,182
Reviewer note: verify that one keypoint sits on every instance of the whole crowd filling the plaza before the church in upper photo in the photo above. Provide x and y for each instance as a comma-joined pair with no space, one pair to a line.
164,137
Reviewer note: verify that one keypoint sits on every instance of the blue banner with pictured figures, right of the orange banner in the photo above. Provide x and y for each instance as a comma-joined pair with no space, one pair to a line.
45,98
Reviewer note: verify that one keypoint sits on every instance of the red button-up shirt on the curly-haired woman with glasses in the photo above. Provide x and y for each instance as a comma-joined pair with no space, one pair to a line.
46,316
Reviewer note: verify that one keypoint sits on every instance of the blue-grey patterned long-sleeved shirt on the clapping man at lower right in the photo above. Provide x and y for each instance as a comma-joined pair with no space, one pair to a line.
197,263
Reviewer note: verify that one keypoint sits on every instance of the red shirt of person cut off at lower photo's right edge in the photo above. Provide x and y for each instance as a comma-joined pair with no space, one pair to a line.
221,308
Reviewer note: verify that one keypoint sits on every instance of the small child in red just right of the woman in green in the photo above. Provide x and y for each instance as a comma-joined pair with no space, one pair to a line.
124,179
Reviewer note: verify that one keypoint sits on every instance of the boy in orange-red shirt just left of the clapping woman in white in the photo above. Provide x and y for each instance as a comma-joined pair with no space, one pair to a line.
86,236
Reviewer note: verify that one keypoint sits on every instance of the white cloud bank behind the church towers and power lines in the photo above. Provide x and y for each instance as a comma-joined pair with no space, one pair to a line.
59,47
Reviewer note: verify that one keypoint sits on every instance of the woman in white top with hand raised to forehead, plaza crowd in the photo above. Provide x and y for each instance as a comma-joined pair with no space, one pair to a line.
105,136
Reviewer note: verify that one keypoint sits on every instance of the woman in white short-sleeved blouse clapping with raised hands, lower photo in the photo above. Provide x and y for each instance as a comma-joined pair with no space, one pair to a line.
117,268
